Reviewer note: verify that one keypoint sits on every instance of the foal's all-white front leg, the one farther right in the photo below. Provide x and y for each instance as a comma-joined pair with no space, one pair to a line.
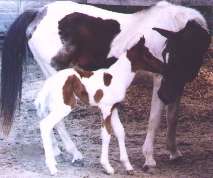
120,134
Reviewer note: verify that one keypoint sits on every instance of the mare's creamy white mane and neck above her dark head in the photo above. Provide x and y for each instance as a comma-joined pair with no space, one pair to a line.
164,15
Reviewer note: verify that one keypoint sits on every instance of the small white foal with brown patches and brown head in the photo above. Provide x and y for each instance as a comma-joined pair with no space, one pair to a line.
103,88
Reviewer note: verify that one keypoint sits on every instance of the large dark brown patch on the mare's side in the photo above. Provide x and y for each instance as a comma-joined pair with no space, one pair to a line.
86,42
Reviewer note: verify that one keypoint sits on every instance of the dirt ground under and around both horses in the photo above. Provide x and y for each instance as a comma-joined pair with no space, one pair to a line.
22,155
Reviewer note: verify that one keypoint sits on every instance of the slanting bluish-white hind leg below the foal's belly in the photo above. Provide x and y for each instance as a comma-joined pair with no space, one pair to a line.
68,143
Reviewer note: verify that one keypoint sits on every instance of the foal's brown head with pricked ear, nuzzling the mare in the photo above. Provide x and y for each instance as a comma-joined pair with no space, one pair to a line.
141,59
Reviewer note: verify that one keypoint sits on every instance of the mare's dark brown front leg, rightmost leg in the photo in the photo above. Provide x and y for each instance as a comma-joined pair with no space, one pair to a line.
172,116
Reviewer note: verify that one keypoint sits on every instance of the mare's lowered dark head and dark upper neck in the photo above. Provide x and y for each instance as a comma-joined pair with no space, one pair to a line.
185,50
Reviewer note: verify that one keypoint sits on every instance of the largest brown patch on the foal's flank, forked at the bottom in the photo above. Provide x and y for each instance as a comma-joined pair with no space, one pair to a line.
72,87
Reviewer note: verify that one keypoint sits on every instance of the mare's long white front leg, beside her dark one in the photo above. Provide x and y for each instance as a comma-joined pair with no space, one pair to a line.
154,120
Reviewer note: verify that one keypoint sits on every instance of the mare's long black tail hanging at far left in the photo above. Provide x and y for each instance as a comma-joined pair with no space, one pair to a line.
13,55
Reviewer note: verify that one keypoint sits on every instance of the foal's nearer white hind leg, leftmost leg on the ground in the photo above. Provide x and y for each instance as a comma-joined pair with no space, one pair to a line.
46,126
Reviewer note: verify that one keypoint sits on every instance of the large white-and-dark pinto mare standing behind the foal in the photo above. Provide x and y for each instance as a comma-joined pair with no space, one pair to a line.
46,41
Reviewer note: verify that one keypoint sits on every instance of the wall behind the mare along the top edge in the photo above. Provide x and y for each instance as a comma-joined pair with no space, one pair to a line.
10,9
